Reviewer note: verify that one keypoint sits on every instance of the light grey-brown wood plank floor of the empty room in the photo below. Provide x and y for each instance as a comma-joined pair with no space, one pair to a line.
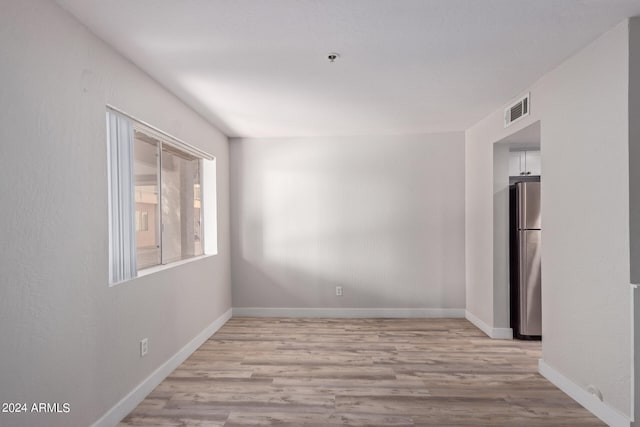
358,372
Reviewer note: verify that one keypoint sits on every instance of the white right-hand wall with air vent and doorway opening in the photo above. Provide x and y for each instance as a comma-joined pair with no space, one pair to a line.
582,106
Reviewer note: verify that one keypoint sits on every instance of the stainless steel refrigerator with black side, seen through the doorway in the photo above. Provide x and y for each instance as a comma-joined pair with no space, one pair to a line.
525,265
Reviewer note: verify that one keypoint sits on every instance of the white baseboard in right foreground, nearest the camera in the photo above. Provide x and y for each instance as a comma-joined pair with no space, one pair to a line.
600,409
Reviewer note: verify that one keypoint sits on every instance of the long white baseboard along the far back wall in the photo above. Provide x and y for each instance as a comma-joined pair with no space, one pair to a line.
348,312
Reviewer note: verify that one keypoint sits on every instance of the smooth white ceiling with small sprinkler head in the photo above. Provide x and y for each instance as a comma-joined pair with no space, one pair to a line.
259,68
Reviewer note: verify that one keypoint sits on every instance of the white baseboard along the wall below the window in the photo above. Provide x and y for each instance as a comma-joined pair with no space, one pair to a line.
128,403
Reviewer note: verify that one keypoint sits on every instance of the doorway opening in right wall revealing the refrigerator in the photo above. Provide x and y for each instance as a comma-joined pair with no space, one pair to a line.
516,248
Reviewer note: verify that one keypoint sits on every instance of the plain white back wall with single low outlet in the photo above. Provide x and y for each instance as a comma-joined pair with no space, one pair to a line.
381,216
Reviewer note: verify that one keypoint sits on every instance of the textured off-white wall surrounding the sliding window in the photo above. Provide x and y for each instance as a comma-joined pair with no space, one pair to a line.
66,335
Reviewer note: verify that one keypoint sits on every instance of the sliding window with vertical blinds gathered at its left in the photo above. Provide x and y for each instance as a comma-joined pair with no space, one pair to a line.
155,197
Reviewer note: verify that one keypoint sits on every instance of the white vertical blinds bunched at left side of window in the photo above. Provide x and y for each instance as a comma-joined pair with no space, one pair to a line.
122,221
